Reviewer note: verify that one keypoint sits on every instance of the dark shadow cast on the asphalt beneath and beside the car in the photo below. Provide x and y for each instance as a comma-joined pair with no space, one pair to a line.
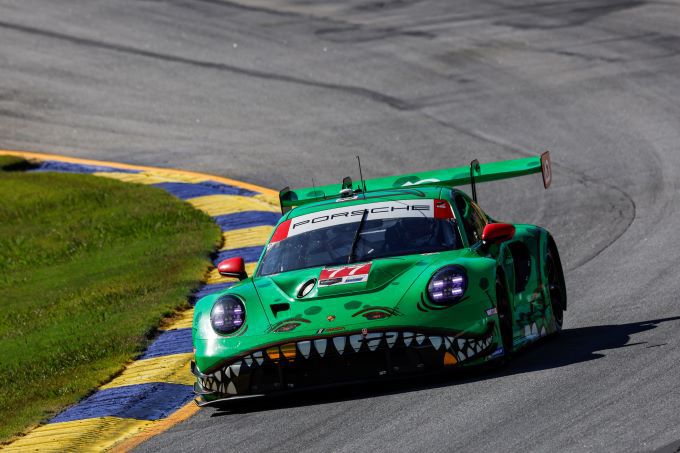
572,346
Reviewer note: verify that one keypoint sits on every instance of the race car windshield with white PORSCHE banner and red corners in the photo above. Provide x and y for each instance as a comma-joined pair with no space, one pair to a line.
339,236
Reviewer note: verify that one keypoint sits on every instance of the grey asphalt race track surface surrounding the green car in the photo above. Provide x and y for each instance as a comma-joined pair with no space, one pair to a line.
274,92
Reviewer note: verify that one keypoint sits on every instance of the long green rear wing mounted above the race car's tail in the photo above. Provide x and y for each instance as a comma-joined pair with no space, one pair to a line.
458,176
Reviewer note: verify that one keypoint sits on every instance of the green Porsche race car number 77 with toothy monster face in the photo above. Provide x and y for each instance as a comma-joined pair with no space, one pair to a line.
392,276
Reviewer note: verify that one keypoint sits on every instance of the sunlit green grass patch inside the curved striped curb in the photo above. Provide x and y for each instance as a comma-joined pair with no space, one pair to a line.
88,268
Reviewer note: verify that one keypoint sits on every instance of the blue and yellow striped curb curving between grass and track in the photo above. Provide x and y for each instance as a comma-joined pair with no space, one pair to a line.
154,392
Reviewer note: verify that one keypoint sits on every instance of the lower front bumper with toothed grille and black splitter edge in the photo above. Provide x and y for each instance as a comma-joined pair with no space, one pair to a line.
363,355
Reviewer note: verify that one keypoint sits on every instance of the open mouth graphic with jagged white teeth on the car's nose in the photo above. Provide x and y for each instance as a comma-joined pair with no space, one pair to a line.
244,376
